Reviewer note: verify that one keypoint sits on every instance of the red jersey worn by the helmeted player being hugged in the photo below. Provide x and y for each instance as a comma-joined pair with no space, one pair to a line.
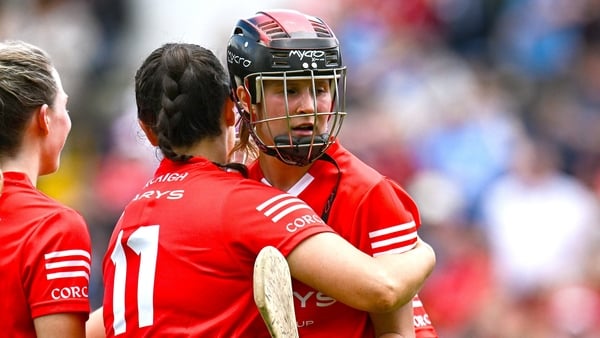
370,211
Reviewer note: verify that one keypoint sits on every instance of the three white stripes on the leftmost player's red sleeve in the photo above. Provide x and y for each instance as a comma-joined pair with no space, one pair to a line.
67,264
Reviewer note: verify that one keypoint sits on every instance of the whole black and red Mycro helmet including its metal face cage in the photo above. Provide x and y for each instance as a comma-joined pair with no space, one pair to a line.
287,46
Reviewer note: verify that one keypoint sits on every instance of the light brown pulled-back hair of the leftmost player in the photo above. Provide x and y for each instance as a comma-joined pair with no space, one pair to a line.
26,82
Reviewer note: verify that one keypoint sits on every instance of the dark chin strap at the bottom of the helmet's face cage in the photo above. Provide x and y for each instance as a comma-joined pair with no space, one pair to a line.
302,150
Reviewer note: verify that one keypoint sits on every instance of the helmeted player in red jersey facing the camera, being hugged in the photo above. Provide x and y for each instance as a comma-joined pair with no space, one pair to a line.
288,79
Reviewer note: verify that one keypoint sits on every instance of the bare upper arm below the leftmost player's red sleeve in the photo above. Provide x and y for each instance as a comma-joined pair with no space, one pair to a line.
60,325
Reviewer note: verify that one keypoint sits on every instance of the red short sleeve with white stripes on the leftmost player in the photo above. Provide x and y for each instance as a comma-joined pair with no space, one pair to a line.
56,270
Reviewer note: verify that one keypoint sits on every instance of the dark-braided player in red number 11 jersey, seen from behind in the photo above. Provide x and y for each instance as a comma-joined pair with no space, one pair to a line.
180,259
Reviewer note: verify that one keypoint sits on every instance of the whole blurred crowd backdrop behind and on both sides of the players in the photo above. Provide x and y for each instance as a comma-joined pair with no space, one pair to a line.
486,111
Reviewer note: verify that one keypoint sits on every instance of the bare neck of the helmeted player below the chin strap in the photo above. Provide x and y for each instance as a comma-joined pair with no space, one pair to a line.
278,174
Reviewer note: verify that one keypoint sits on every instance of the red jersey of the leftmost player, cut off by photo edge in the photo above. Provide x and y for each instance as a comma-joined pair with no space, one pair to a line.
44,257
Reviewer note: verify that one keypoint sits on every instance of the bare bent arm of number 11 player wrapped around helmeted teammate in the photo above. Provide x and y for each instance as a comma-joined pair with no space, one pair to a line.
330,264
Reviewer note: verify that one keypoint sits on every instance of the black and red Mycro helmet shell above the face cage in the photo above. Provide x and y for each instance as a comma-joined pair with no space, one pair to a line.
280,41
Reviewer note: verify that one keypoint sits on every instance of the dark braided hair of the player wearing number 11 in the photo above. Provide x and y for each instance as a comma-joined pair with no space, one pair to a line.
180,91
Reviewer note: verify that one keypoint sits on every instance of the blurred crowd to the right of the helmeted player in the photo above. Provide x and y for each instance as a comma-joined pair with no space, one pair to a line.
488,113
